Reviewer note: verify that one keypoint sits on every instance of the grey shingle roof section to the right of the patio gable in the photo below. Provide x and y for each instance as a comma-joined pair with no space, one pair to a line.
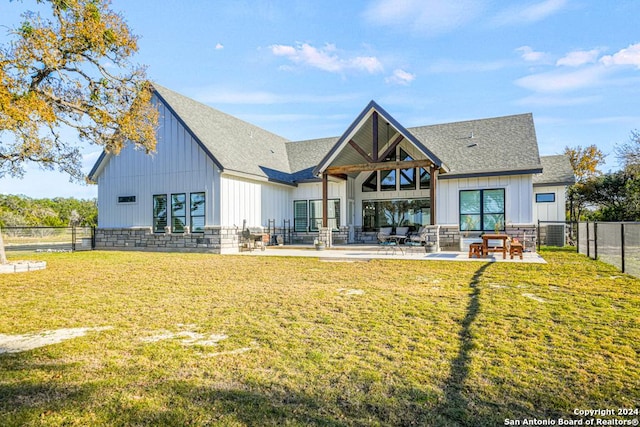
495,145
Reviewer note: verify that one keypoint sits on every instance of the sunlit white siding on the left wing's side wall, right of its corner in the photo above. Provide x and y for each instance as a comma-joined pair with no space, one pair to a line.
253,201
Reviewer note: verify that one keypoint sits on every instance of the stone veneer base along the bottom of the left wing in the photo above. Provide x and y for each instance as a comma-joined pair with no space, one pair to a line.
214,240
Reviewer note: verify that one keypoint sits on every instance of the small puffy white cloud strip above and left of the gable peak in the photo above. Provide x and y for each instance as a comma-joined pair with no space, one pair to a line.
327,58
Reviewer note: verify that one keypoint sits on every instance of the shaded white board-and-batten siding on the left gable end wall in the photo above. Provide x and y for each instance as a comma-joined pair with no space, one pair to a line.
179,165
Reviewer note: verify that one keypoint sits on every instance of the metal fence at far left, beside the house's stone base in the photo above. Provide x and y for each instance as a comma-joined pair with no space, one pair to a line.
48,238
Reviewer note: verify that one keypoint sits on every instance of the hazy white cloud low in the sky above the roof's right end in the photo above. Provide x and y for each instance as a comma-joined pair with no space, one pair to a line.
561,81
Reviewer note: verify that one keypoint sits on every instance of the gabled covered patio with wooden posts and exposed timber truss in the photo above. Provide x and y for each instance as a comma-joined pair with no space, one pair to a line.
386,170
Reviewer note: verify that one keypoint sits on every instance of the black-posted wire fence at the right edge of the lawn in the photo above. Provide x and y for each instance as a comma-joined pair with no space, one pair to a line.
616,243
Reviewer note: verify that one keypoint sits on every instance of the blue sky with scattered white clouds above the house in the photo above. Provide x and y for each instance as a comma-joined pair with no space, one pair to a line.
305,69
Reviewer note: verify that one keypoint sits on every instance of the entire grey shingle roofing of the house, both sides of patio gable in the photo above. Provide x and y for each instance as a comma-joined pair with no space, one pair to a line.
501,145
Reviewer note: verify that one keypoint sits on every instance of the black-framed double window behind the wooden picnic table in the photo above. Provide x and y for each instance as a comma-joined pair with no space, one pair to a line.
481,210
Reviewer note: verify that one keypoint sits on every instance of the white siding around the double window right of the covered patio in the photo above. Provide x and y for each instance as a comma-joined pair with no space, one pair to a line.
518,197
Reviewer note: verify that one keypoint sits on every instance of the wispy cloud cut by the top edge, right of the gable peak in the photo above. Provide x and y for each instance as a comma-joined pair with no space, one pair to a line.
429,17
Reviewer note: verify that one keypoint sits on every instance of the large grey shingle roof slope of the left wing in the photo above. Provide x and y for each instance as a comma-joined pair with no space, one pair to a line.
235,144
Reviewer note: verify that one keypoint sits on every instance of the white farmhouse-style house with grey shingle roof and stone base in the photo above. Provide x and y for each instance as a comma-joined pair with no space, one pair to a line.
214,174
